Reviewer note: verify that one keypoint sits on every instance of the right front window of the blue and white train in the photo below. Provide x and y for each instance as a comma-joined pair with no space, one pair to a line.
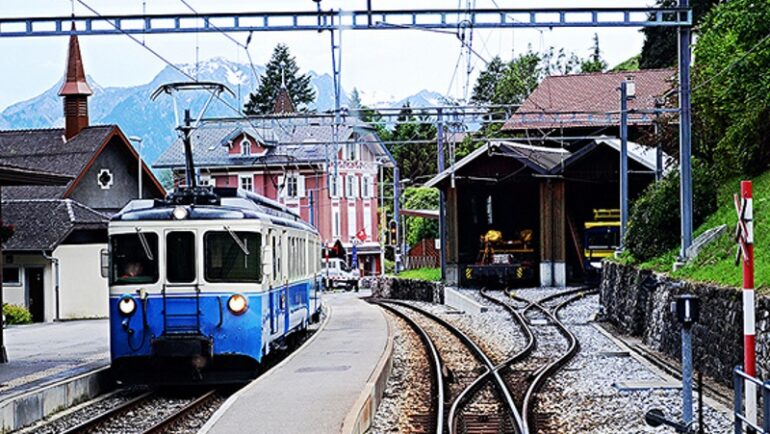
233,256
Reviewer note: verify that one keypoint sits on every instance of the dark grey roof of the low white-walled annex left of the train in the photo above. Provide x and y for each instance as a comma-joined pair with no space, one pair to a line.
42,224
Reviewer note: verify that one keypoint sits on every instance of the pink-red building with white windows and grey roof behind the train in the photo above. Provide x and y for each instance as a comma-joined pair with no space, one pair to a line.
291,159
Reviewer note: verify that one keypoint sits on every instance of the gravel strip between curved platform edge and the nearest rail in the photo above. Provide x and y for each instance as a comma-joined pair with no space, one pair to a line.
408,390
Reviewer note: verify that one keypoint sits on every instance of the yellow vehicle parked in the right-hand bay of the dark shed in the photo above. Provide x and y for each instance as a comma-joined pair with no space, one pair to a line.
601,237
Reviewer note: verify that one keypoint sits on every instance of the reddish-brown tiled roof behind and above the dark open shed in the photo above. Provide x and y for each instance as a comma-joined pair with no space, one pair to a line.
590,100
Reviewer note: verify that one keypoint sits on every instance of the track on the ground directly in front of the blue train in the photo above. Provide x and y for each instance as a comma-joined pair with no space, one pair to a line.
122,415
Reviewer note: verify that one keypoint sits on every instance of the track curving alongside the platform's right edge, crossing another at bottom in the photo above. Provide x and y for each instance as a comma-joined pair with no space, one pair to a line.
478,400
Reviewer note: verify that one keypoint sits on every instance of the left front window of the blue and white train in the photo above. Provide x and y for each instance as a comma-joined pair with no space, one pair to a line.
134,258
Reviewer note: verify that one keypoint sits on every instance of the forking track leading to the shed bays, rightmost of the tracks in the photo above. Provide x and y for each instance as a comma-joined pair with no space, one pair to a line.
543,355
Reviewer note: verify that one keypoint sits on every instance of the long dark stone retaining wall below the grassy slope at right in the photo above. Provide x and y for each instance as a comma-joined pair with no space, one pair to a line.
638,303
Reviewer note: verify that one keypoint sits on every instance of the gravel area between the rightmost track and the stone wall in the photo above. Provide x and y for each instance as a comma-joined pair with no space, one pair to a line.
583,397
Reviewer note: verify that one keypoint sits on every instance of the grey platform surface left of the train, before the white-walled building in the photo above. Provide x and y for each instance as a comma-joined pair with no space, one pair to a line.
44,353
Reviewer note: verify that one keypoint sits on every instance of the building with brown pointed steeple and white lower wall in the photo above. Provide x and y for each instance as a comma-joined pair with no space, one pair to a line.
52,260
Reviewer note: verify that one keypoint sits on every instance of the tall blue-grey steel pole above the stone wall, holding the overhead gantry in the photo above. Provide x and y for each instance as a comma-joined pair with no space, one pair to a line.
685,165
